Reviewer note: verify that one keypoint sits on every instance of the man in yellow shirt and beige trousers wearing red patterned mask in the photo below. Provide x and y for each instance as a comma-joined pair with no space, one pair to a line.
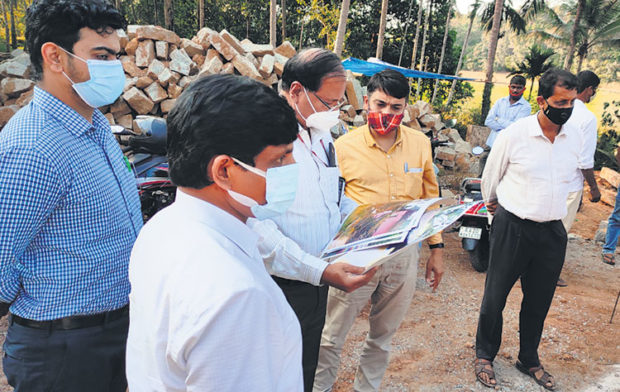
380,162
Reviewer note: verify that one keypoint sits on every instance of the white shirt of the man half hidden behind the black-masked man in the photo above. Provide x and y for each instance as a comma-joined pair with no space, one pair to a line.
585,121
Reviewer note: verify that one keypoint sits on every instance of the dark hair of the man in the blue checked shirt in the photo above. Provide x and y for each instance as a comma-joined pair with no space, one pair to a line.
60,21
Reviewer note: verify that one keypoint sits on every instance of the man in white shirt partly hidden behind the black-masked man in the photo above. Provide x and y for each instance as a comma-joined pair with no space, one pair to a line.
585,121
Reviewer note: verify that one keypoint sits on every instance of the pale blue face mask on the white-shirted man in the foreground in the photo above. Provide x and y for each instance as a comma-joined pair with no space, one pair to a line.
280,191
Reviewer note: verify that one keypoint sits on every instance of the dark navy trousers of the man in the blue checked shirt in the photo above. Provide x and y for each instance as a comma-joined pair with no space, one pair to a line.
78,360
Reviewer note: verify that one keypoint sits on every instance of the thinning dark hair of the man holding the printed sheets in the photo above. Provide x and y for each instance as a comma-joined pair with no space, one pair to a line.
310,66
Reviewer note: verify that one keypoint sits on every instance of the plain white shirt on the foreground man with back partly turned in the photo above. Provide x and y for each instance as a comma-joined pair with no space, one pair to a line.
205,315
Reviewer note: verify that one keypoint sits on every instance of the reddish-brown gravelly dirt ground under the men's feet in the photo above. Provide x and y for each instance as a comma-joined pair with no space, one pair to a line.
434,348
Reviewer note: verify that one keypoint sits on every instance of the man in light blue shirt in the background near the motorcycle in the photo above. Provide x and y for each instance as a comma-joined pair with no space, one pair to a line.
508,109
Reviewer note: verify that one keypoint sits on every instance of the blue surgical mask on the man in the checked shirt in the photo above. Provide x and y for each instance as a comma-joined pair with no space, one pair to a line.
106,83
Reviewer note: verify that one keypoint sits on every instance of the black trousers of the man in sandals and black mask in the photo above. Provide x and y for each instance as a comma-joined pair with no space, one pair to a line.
533,252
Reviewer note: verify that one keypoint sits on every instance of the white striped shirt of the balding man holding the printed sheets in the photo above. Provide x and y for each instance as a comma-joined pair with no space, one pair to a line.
291,243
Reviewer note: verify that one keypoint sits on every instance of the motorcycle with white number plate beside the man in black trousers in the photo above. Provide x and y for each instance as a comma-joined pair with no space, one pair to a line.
474,228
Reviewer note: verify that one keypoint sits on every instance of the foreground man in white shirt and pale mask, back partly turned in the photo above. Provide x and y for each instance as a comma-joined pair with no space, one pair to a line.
205,315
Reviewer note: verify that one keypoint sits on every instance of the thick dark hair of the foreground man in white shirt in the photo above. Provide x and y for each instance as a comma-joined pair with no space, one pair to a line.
224,114
